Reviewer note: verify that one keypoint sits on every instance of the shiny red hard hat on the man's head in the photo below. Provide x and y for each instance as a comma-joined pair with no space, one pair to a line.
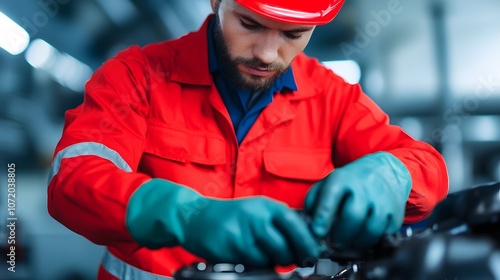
313,12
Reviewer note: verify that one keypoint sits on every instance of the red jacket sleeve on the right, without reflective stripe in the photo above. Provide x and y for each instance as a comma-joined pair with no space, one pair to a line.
364,128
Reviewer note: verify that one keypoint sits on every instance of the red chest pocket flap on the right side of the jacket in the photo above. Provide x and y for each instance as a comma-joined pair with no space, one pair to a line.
307,164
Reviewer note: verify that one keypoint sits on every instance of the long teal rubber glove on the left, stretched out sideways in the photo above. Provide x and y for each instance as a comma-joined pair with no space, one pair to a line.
256,231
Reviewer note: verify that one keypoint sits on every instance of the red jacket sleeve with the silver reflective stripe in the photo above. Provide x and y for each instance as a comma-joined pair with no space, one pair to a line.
94,169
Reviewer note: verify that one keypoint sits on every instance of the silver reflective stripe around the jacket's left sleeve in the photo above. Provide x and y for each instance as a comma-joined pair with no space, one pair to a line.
86,149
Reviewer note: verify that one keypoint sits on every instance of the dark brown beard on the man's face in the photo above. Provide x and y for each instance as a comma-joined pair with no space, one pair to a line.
230,71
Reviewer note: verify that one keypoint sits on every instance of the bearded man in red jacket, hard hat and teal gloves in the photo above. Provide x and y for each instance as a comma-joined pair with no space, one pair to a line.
204,147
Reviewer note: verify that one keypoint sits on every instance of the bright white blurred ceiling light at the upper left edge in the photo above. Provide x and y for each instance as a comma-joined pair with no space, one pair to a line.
13,38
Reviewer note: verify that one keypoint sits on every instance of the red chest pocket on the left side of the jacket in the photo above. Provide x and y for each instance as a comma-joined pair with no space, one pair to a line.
190,158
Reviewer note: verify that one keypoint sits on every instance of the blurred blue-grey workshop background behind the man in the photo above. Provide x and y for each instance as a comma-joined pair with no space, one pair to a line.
433,66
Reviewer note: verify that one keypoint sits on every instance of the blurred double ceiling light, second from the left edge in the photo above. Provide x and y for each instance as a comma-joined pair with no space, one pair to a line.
63,68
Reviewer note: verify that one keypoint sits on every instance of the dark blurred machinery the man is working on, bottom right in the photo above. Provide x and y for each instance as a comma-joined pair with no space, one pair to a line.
461,240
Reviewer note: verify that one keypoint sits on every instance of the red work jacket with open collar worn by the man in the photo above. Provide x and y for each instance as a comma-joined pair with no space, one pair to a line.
154,112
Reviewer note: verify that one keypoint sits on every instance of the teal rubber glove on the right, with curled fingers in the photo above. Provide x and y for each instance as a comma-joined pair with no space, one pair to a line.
361,201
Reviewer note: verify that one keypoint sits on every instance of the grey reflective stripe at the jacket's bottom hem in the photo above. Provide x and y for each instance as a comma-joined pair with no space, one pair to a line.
124,271
